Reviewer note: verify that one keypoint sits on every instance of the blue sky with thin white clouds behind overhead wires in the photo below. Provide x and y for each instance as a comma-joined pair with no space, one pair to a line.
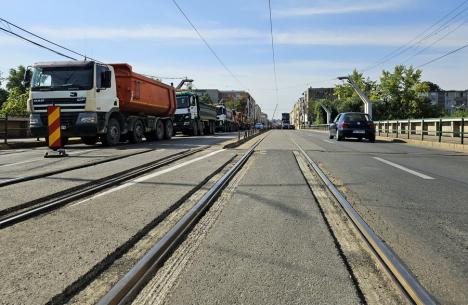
315,40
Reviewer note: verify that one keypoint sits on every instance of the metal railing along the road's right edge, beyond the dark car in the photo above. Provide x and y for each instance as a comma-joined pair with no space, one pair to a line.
448,130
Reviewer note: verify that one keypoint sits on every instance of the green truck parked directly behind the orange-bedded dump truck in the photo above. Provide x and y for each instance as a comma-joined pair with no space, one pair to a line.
193,116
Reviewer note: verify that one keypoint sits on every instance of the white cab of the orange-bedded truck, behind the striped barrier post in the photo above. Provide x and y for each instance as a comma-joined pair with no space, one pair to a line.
85,91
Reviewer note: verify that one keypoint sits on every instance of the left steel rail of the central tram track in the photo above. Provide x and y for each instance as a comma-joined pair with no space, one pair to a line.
130,284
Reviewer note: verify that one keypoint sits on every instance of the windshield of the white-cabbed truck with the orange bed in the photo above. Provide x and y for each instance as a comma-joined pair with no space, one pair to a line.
62,78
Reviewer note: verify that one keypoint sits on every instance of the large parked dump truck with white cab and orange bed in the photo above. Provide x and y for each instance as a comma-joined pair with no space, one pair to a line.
100,102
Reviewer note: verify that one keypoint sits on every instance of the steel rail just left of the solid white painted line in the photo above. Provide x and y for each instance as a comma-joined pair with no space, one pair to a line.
39,206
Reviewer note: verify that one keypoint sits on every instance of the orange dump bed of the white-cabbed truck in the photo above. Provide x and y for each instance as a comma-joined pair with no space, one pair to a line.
141,94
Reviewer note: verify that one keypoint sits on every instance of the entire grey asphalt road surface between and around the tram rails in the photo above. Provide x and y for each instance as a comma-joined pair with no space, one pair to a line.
264,241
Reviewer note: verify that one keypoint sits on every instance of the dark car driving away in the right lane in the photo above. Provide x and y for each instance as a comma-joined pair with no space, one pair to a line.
352,125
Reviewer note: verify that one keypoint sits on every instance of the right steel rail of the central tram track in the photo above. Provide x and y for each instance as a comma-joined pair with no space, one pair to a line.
407,281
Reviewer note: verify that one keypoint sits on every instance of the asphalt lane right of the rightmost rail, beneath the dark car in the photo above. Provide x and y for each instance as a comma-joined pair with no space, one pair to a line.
415,199
